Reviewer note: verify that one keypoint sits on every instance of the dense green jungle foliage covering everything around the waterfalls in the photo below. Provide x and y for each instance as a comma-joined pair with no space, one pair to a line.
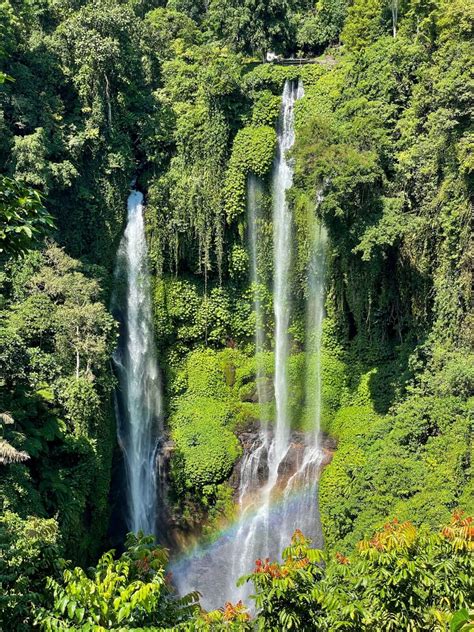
95,93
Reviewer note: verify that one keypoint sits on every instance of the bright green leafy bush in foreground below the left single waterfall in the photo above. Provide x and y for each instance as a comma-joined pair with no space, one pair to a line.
124,593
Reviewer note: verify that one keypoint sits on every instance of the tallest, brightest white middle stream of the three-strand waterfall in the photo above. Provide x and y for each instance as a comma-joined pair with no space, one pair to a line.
256,537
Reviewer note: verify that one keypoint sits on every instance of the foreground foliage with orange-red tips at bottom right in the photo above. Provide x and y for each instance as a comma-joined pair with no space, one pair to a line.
400,579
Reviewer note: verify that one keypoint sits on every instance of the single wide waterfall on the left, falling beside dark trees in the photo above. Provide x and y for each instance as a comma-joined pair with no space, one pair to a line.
138,398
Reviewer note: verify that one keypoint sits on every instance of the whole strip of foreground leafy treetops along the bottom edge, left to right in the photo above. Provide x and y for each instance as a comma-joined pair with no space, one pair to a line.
401,578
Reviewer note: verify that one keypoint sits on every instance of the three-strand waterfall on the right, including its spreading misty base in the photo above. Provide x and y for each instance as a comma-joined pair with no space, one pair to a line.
278,474
